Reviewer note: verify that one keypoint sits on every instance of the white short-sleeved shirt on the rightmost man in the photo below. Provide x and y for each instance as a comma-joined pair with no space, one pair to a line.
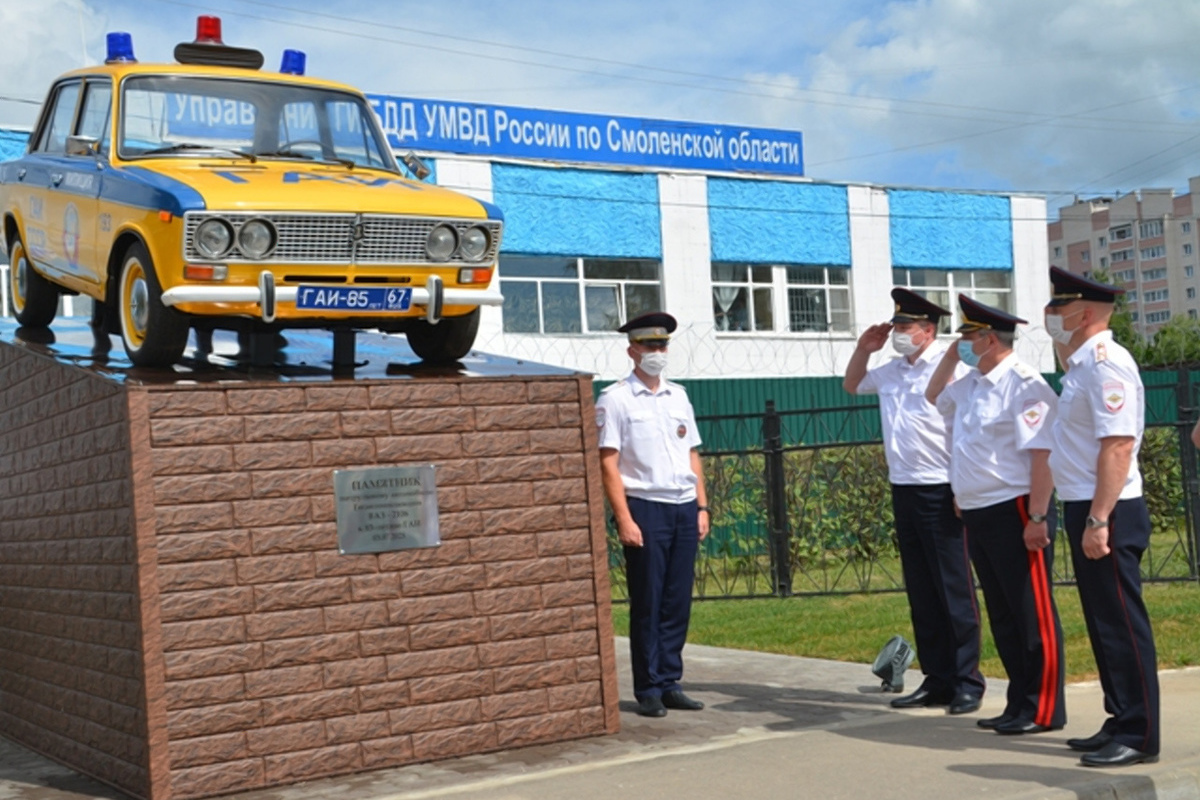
1102,396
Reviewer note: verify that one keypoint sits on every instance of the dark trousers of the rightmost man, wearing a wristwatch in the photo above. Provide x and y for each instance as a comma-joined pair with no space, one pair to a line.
1118,623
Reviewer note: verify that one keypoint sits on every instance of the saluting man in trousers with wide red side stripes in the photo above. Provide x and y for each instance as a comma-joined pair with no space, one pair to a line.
1001,478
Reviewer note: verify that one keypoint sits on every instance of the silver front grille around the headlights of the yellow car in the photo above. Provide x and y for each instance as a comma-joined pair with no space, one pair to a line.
331,238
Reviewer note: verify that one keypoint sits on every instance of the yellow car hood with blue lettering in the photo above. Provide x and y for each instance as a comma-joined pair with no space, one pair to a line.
292,187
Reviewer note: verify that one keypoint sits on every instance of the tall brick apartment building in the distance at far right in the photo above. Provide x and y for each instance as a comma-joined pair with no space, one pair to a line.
1145,242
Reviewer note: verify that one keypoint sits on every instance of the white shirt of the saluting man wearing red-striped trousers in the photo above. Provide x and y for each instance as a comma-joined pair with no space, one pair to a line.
999,418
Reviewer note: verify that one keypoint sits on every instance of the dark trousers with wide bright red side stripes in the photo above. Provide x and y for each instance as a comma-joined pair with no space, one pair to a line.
1017,587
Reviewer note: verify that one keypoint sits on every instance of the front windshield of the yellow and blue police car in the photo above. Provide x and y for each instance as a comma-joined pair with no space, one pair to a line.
193,117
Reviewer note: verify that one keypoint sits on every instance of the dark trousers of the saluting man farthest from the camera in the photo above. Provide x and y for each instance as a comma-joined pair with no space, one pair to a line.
940,587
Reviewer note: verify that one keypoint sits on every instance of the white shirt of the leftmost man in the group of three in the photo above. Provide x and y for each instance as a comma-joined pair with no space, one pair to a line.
916,437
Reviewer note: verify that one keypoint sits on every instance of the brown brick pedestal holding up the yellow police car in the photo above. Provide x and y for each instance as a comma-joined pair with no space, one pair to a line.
176,618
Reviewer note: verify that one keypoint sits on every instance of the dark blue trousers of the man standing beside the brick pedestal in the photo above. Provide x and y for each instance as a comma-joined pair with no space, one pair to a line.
661,579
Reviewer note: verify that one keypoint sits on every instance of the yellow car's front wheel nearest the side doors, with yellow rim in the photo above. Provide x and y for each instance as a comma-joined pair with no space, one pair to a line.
154,335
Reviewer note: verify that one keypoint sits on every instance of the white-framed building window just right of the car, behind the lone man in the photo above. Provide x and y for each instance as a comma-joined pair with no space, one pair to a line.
577,296
